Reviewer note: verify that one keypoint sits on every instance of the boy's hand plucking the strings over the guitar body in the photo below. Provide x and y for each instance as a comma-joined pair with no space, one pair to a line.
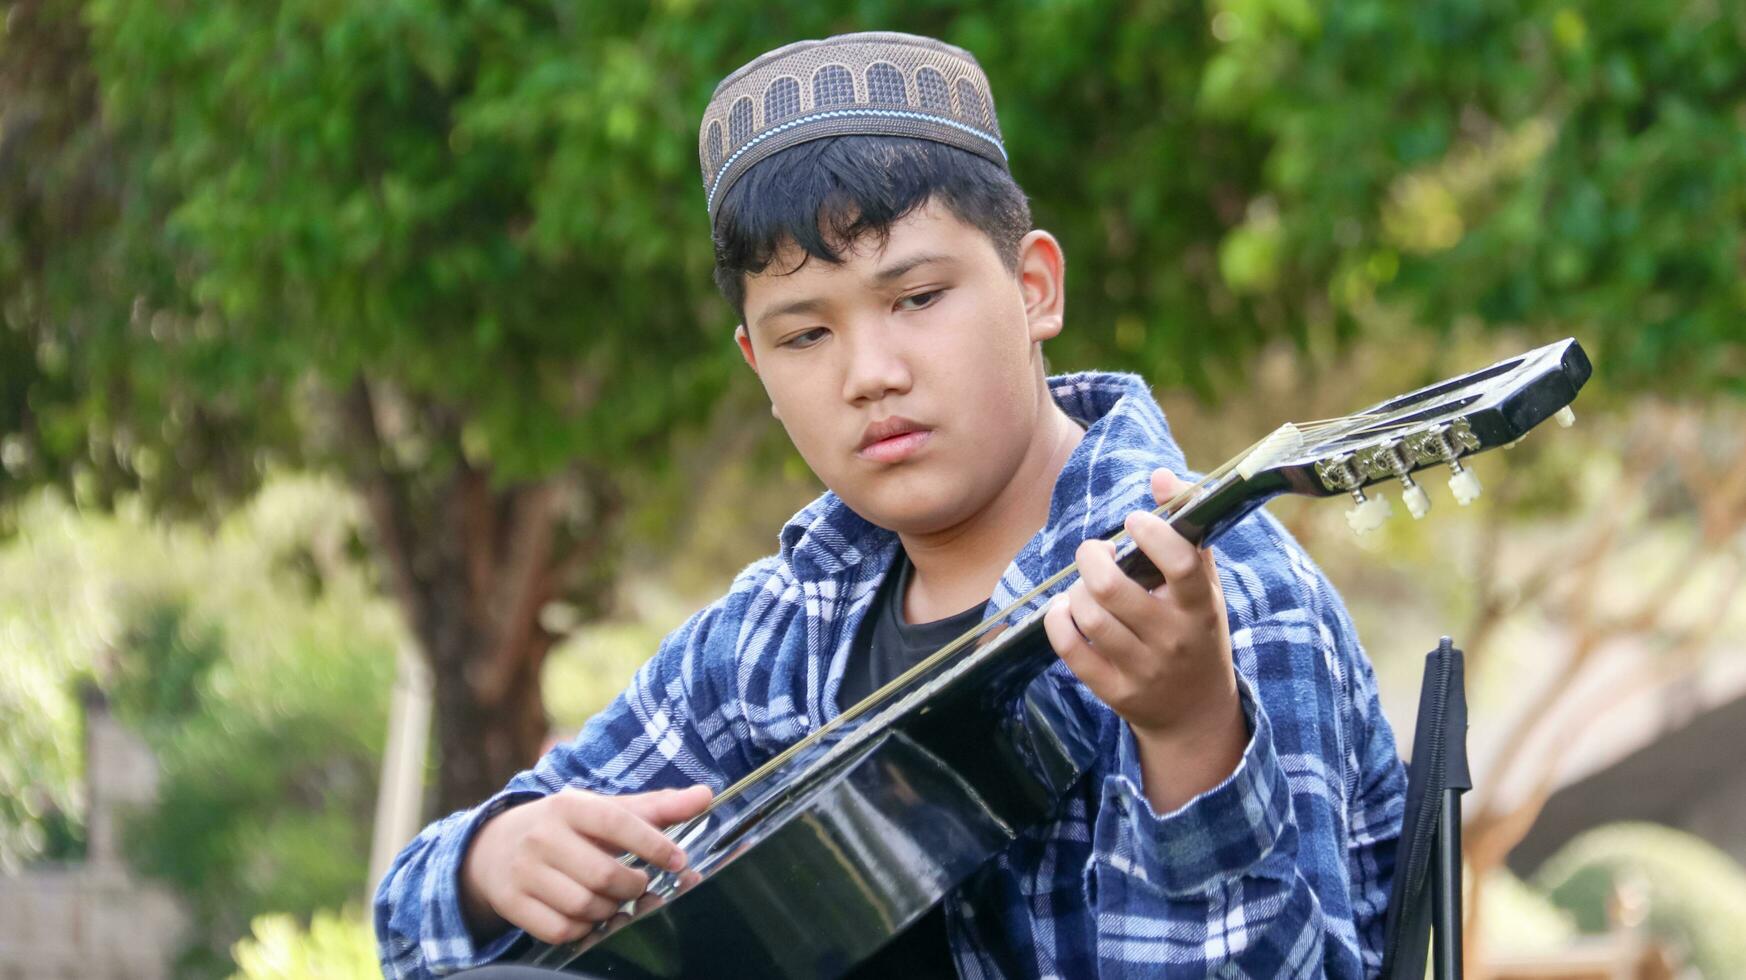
551,866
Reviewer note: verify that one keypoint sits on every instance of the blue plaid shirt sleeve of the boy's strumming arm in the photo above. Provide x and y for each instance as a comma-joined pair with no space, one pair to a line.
677,726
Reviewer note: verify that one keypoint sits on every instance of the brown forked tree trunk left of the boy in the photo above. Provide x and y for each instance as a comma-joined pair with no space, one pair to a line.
472,567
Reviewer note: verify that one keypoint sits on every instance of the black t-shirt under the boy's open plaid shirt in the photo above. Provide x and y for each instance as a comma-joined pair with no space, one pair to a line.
884,649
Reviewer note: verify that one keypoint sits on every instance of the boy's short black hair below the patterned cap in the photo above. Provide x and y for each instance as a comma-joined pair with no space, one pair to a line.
828,195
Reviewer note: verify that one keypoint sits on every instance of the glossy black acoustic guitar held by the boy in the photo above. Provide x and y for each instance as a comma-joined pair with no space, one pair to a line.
835,846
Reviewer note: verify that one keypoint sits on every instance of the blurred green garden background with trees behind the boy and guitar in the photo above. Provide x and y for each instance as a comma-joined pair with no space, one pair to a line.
340,329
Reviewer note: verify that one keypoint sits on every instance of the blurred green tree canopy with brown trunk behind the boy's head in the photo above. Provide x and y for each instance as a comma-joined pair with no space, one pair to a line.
460,252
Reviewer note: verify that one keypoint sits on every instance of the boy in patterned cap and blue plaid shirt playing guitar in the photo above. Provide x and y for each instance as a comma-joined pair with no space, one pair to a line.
1246,797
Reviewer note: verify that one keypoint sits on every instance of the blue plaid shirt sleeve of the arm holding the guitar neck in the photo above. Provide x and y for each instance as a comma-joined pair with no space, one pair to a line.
1282,869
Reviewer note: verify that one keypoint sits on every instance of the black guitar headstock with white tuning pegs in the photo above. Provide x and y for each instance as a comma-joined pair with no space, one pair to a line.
1438,425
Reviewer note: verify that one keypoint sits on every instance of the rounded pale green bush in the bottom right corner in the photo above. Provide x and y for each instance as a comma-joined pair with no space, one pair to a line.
1696,895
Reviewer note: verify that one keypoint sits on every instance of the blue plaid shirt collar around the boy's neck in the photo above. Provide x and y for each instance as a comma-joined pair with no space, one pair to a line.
1106,478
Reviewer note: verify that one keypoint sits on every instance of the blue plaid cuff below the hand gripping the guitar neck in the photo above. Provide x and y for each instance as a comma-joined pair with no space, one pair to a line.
1218,836
